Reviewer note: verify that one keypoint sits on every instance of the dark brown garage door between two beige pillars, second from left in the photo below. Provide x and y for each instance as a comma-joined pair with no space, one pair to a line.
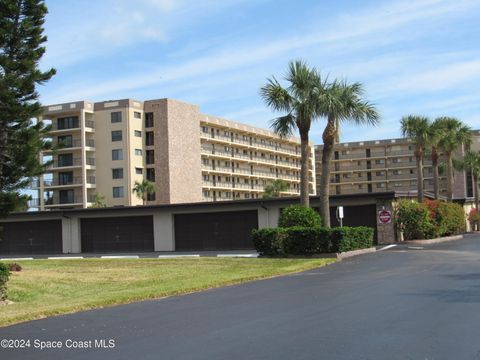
120,234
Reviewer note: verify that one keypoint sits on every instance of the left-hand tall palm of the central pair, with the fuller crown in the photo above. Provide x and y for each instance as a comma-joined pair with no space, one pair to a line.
301,103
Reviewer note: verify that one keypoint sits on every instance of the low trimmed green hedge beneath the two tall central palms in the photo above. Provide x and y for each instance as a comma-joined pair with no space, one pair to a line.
300,240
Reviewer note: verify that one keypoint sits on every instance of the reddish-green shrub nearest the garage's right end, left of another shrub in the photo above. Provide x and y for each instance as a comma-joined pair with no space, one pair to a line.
414,220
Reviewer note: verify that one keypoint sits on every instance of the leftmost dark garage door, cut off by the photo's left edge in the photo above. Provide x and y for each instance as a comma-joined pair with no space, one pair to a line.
31,237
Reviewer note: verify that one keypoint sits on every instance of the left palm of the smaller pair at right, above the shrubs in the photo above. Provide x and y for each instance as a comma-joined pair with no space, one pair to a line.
417,129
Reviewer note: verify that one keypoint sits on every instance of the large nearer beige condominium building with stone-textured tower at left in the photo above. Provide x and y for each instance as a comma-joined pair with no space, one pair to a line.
105,147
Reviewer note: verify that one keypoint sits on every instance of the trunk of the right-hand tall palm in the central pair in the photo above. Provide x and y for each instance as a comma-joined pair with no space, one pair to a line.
328,142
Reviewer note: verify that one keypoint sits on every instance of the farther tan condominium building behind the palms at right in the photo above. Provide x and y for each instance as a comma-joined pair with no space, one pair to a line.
386,165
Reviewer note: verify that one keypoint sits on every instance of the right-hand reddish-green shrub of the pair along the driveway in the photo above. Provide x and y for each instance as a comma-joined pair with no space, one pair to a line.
450,219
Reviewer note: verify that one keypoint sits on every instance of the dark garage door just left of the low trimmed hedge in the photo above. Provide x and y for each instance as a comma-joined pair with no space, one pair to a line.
215,231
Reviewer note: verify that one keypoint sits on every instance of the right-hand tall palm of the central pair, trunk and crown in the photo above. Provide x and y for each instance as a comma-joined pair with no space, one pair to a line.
340,102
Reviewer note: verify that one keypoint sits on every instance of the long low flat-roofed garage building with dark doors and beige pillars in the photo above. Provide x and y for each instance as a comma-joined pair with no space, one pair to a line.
178,227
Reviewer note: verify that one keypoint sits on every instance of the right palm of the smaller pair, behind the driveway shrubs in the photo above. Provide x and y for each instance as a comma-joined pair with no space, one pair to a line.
454,135
